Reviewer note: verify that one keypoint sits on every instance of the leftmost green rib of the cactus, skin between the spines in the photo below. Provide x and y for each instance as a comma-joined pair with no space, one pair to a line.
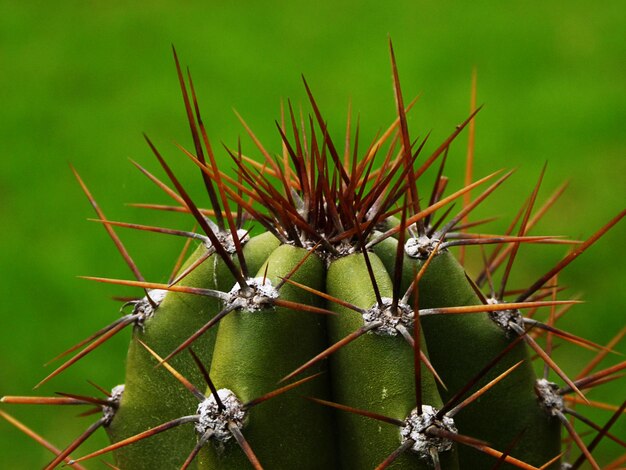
151,396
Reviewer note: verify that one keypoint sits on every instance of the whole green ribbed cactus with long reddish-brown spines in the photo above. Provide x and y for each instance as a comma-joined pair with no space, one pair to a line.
325,319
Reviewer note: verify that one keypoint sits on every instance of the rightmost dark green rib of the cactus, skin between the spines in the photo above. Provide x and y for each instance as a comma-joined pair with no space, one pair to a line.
460,346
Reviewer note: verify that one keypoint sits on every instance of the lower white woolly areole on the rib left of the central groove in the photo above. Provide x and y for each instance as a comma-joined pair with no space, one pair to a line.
216,420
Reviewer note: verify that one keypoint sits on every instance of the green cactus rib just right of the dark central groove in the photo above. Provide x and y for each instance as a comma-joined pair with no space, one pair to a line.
374,373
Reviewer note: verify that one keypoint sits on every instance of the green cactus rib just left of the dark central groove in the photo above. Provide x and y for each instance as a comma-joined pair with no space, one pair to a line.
254,350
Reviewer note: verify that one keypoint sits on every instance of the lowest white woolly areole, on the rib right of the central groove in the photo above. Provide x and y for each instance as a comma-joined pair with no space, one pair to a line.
416,427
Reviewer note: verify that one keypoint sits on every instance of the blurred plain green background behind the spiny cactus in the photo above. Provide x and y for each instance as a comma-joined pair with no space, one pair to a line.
81,80
